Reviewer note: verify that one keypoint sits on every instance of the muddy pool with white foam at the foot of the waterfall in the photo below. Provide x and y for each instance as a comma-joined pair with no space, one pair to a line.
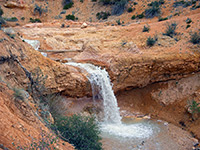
135,134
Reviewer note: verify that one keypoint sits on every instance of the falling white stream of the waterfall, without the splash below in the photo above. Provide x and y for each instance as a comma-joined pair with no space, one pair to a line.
102,89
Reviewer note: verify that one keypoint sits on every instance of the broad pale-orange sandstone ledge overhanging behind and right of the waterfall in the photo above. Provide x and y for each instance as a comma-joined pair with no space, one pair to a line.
122,51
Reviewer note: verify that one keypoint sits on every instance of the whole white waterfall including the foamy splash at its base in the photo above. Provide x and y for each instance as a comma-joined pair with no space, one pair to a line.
112,124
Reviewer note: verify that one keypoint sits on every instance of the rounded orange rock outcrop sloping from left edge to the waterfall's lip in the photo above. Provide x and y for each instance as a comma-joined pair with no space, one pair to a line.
61,78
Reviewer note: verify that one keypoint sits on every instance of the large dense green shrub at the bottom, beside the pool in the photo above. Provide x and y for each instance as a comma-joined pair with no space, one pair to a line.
82,132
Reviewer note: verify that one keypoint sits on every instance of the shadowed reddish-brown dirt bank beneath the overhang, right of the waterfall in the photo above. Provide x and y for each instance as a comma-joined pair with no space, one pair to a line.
167,101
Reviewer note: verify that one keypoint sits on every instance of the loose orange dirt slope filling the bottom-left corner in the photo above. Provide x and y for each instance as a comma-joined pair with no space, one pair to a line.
20,124
